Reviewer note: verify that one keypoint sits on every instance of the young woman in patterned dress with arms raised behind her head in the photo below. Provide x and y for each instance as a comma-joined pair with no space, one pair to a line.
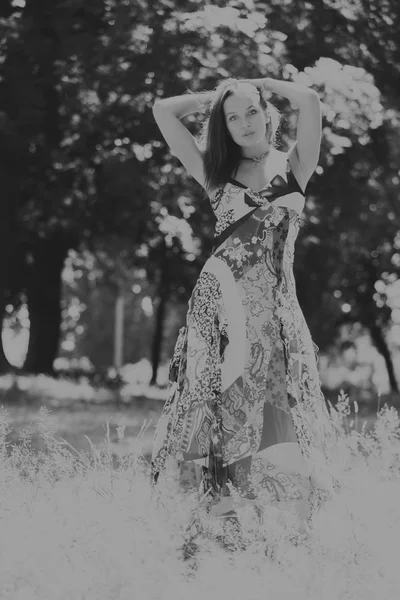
245,409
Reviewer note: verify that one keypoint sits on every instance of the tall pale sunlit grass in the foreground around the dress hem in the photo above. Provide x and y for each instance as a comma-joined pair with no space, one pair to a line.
85,525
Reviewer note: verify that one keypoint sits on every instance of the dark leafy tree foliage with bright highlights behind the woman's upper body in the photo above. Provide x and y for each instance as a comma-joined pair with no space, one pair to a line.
88,164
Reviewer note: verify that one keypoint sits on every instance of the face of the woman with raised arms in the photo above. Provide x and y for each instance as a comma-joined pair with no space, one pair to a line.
244,115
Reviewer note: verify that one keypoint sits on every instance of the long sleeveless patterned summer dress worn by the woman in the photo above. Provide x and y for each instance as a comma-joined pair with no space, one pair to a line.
245,404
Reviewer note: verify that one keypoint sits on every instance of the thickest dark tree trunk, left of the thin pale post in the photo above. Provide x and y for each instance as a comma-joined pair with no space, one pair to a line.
44,288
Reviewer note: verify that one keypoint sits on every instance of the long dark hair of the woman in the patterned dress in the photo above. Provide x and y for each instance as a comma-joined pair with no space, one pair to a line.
221,155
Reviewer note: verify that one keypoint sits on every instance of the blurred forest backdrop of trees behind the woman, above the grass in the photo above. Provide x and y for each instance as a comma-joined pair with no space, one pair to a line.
96,214
